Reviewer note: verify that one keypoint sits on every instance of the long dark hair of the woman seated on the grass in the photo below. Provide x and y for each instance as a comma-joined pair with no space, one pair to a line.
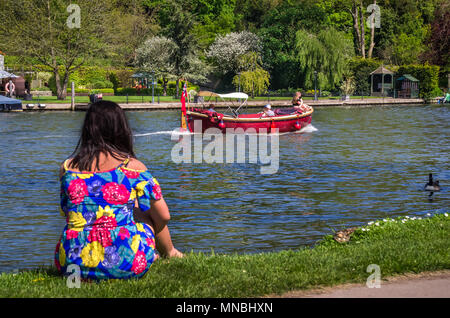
105,130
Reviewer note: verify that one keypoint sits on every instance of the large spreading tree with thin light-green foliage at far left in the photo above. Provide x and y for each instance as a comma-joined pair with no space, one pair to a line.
59,37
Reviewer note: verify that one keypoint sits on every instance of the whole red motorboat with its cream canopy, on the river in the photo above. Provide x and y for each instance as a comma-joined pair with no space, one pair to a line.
284,119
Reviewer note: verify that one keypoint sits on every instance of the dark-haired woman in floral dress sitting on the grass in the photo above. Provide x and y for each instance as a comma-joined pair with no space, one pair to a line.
113,206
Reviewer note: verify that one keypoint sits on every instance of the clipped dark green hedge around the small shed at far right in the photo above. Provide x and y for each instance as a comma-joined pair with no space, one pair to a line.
428,75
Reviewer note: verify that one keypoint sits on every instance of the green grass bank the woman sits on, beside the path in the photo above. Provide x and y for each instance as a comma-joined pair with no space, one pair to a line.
397,246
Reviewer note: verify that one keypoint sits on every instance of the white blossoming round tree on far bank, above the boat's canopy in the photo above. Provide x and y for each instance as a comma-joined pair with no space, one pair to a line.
226,50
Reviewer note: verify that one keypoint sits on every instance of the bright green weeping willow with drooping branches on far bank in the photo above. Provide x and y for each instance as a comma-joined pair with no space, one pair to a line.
327,53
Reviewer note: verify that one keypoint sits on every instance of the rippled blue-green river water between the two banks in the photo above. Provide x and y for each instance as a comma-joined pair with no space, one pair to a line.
354,165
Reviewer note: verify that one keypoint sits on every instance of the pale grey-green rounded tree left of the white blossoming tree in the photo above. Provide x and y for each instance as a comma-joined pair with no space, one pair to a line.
157,55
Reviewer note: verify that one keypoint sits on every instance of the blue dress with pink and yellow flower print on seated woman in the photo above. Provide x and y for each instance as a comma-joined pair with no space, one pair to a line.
101,236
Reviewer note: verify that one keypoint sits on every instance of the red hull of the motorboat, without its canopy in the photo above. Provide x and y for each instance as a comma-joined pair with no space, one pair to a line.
200,121
